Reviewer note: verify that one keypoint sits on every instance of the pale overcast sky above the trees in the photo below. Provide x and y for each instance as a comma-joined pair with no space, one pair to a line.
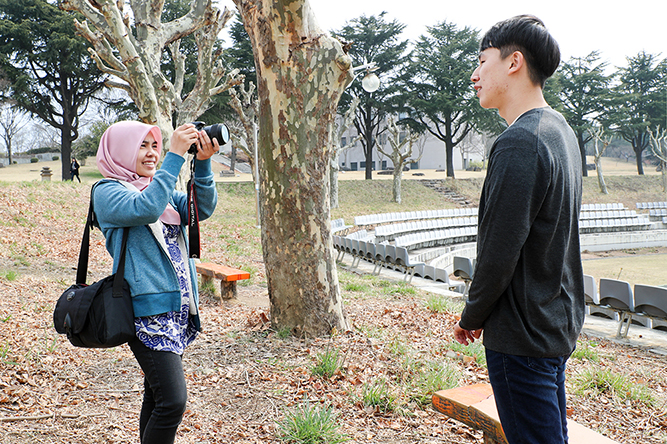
615,29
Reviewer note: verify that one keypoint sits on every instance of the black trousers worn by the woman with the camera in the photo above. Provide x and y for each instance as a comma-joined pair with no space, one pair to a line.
165,394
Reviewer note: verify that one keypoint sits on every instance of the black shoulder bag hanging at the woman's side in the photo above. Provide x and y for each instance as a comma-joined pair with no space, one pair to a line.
99,315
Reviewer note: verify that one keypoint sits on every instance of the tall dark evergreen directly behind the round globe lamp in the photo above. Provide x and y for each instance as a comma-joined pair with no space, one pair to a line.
373,39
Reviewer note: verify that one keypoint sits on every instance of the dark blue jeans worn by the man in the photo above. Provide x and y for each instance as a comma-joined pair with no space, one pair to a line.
530,397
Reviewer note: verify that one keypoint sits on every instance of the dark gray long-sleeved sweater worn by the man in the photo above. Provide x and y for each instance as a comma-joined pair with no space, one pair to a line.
528,291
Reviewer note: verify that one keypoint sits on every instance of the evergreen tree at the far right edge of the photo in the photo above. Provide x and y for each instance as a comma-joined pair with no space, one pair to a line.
639,102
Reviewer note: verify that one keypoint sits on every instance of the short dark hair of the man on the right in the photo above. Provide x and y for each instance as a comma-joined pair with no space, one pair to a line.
527,34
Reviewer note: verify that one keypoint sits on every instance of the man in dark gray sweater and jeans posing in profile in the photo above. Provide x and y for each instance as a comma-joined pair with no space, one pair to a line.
527,294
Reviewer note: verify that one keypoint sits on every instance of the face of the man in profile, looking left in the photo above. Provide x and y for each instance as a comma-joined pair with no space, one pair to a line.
490,78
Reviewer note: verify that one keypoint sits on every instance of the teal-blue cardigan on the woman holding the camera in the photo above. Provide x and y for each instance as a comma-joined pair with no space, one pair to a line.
148,269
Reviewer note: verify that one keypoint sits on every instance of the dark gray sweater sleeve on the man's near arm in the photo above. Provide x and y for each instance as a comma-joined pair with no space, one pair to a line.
513,191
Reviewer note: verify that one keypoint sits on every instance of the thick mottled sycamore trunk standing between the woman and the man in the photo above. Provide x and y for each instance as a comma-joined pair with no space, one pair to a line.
301,74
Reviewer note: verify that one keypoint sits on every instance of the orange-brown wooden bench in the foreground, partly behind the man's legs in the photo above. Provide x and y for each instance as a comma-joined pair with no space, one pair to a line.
474,406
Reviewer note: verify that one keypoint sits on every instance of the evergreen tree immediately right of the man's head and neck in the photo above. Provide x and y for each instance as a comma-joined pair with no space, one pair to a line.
583,96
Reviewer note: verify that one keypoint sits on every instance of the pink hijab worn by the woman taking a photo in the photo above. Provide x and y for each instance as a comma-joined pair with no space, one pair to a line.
117,158
